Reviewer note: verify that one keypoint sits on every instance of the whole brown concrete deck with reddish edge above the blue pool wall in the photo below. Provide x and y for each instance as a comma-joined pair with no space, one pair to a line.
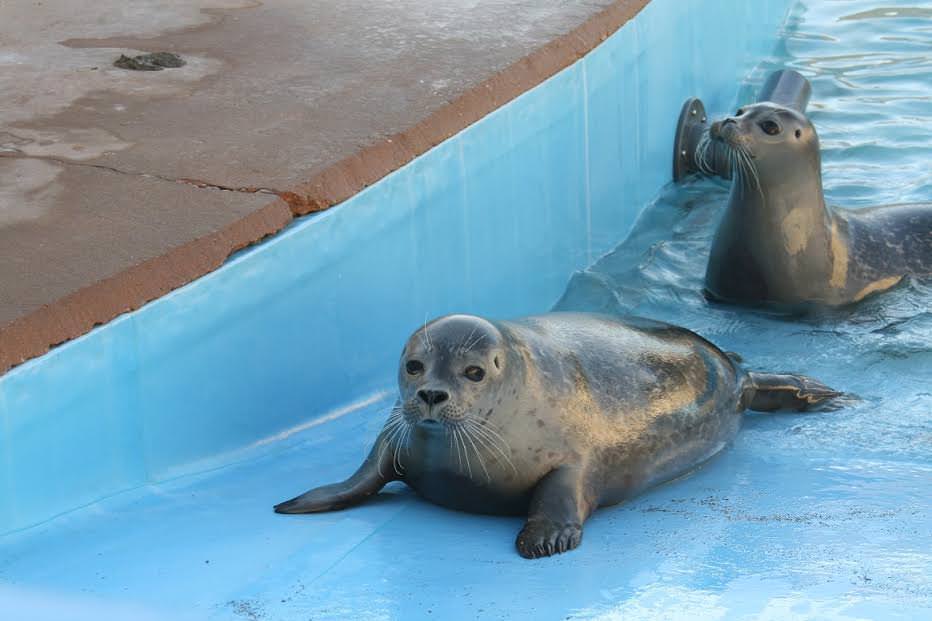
103,168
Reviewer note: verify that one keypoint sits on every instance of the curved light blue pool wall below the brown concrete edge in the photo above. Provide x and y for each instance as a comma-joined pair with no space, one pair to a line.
493,221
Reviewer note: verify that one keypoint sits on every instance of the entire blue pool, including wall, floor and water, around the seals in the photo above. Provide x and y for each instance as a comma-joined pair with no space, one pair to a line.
158,484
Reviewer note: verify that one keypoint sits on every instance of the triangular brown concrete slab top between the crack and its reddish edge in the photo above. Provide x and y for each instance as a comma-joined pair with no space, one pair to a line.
64,238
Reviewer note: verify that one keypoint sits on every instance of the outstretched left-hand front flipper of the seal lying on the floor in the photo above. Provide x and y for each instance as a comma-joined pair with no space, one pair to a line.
371,476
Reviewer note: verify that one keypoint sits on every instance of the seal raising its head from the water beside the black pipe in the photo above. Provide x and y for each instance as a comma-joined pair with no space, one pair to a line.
779,244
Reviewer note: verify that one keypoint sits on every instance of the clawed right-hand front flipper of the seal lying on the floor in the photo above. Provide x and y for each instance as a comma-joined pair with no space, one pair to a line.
560,504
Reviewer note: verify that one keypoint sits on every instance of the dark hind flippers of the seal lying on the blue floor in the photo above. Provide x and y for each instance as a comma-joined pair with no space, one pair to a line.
771,392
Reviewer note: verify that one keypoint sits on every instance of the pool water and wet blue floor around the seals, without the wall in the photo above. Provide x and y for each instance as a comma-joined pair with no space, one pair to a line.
819,516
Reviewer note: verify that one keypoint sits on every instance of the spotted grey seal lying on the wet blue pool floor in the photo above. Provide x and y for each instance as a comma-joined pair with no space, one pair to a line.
554,415
